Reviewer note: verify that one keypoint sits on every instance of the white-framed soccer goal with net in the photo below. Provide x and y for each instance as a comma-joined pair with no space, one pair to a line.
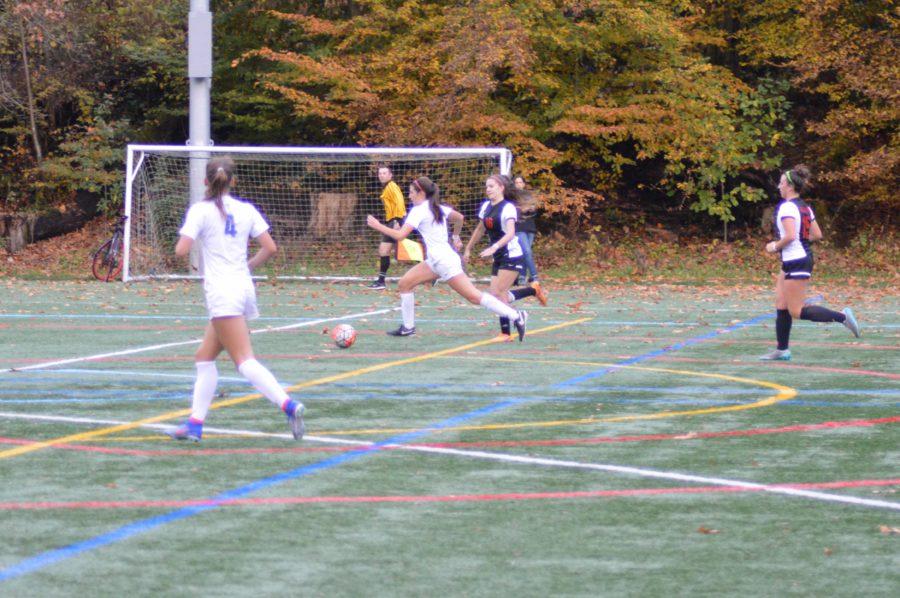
315,199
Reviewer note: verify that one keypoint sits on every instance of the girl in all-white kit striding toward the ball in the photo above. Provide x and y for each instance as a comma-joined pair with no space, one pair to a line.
430,218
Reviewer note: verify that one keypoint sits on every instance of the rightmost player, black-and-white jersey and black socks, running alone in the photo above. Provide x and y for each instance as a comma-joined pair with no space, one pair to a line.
796,226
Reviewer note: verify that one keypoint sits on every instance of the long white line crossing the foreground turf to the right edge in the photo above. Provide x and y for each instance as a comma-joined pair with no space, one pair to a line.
483,455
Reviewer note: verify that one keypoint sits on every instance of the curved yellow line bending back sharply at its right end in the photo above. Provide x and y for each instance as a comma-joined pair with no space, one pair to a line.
784,393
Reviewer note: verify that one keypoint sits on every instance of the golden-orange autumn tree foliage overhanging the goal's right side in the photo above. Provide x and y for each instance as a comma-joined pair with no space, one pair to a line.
580,90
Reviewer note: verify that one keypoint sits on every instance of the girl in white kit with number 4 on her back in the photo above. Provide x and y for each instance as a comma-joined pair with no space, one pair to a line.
222,225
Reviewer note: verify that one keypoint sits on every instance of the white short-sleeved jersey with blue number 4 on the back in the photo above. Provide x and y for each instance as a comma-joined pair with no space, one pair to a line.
223,240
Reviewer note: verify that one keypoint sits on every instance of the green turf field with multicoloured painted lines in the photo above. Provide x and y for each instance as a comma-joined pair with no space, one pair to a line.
632,445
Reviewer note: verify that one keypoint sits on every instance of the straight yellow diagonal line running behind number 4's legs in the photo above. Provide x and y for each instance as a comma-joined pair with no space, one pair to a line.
30,448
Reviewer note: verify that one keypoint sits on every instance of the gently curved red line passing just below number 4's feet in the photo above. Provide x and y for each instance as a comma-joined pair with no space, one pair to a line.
830,425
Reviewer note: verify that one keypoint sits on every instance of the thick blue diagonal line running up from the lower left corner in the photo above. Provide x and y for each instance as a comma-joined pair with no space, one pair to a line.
129,530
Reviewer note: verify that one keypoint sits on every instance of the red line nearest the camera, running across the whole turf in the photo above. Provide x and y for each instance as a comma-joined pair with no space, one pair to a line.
512,496
